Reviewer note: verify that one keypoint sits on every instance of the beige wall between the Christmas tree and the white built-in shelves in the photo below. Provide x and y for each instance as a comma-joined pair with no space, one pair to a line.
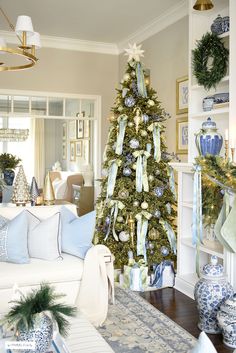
166,55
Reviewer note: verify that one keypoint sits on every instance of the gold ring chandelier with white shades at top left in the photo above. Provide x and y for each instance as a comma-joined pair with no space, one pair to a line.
29,41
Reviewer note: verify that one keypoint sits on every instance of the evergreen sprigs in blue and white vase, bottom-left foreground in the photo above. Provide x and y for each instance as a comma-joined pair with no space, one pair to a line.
33,315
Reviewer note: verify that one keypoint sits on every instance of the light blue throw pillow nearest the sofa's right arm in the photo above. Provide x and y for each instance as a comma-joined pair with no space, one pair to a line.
77,232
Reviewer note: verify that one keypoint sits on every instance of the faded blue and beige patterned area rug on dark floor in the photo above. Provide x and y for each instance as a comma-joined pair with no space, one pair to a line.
135,326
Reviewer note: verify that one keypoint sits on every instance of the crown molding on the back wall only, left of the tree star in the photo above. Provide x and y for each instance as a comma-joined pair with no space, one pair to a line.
68,44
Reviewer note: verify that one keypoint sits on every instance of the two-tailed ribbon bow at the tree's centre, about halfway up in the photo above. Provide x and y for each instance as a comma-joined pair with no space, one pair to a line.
141,170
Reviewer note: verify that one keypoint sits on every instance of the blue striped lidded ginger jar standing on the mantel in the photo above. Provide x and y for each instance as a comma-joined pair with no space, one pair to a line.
208,140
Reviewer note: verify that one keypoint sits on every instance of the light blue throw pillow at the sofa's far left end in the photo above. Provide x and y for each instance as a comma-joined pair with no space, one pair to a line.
13,239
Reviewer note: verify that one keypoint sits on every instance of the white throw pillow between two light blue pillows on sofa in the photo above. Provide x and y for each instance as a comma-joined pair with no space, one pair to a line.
44,237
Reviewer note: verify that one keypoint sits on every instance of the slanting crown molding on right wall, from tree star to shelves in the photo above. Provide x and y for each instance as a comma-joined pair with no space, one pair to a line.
174,14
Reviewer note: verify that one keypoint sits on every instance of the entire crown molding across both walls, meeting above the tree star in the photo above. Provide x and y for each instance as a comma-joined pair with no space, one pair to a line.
166,19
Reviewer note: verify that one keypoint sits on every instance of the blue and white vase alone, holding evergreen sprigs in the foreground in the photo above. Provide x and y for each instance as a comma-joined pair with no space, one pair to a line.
41,332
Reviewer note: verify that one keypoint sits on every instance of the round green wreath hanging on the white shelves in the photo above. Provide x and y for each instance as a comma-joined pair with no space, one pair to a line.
210,46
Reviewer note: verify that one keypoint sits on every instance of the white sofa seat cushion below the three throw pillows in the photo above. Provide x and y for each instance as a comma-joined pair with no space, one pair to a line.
68,269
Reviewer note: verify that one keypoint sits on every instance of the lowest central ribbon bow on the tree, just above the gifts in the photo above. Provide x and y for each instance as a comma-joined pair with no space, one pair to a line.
142,227
